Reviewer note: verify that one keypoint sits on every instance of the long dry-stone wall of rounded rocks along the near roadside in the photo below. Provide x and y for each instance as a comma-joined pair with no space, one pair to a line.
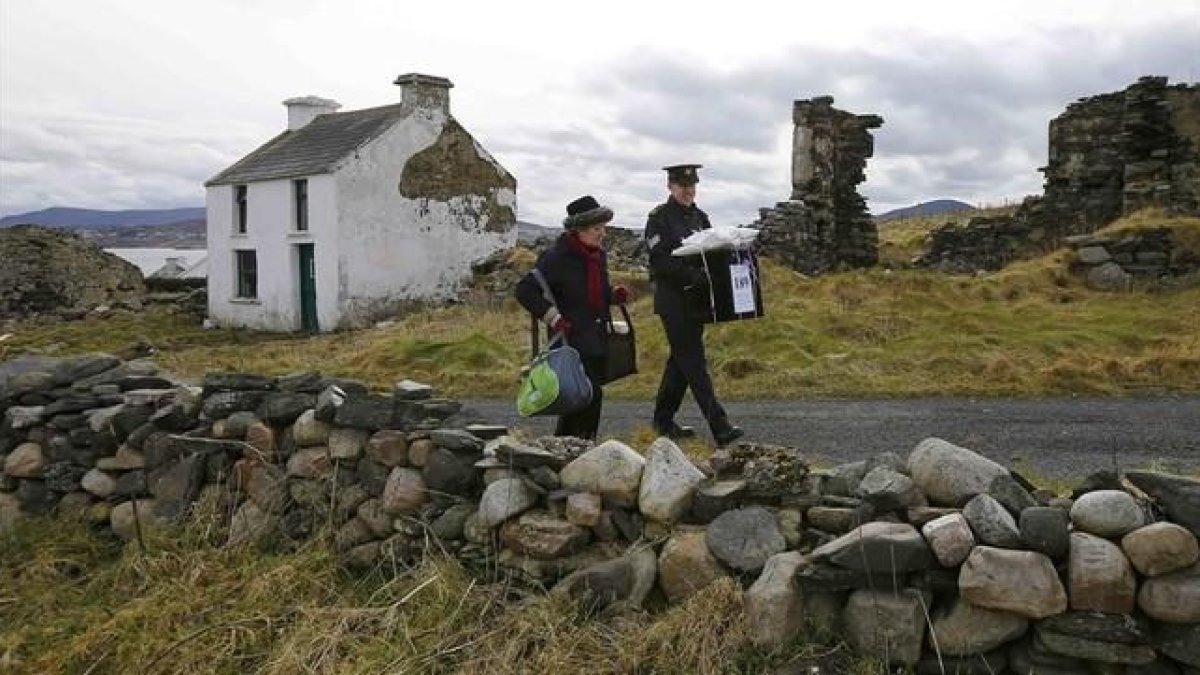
943,561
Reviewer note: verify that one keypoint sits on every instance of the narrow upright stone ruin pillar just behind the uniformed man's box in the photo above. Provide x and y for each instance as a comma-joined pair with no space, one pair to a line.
825,225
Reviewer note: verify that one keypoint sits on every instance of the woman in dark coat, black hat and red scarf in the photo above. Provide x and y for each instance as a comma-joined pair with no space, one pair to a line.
577,270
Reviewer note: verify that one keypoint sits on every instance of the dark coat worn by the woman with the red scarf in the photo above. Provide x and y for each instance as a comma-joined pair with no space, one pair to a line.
567,276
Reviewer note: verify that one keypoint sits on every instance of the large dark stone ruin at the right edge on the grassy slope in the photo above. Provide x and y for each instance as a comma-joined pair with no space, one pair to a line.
1109,157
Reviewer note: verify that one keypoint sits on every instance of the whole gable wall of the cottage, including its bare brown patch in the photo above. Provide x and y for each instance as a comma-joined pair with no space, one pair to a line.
412,232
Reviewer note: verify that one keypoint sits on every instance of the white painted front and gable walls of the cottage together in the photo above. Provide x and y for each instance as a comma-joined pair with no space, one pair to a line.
374,248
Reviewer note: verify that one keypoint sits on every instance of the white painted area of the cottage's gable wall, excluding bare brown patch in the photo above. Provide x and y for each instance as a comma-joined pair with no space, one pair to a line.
395,248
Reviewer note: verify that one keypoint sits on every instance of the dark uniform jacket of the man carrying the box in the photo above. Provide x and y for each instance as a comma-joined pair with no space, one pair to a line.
680,290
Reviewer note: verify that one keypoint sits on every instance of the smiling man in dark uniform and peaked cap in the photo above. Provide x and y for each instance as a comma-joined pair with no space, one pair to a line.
680,291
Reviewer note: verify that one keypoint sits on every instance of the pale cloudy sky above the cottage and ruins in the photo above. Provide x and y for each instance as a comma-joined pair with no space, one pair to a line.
135,104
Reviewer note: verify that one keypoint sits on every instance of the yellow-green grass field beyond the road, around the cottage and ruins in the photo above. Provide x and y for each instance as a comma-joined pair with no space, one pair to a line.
1030,330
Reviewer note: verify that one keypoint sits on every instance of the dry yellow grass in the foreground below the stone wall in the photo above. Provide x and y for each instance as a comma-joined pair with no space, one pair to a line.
73,605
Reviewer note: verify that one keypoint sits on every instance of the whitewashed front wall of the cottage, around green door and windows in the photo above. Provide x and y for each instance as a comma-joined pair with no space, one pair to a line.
271,234
